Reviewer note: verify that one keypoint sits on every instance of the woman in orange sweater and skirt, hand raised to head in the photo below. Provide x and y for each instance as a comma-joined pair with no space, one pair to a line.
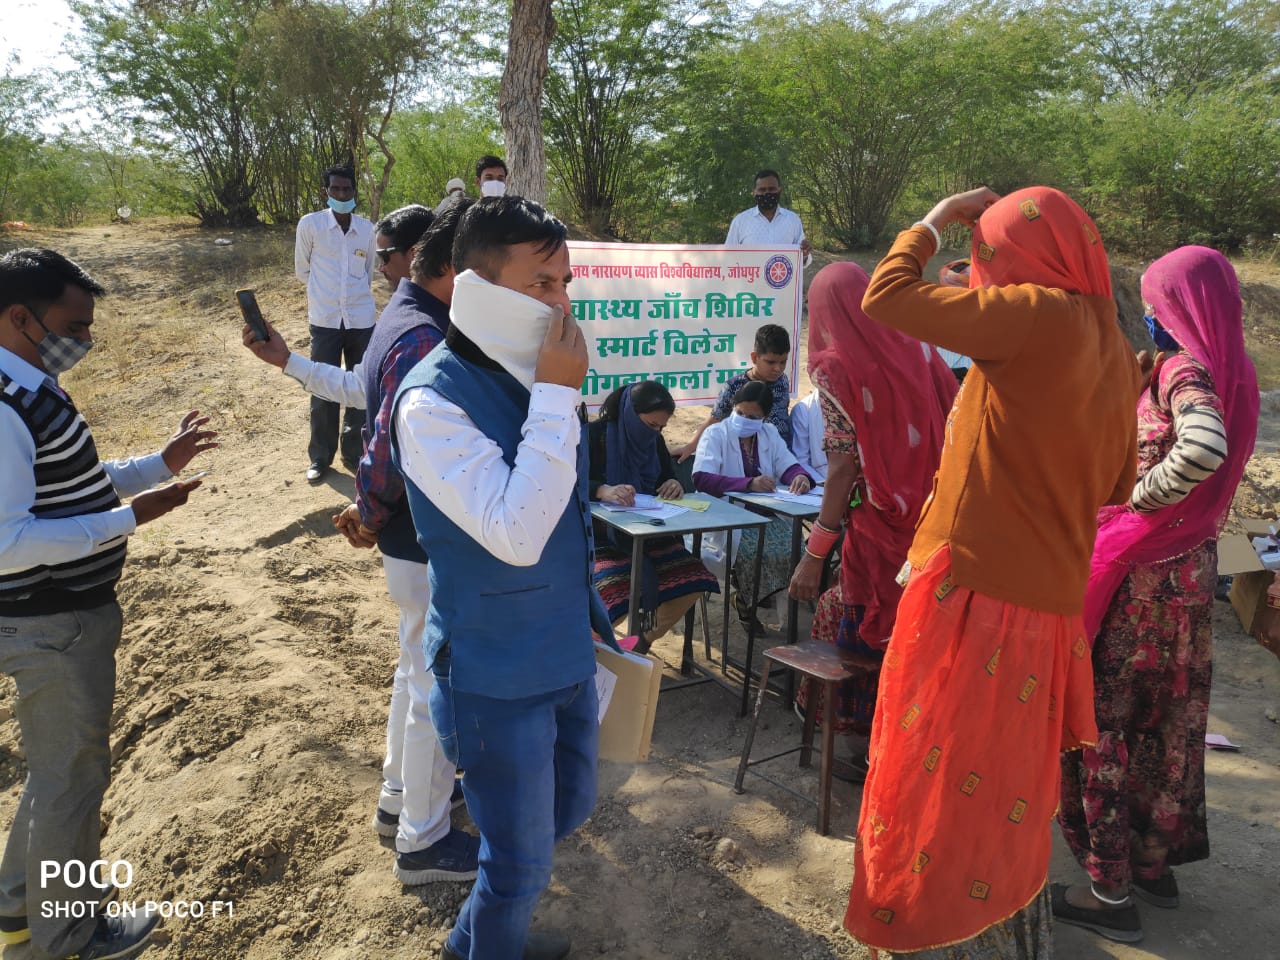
988,674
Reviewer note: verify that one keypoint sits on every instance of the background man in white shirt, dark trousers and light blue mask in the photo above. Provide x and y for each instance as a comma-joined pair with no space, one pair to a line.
335,257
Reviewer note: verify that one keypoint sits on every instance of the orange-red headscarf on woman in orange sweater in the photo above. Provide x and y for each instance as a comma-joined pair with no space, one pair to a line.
1040,236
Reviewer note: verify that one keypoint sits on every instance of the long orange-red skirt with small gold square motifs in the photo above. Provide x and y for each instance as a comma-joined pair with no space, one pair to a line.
977,700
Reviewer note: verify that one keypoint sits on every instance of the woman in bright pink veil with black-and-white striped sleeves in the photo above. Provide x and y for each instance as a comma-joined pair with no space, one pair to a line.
1133,807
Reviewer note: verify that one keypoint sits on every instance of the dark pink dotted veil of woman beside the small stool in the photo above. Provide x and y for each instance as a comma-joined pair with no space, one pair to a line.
897,392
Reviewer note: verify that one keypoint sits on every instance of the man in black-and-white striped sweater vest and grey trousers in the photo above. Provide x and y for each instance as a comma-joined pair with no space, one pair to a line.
63,534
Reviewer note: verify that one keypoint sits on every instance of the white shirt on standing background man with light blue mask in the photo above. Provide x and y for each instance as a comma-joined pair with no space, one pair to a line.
337,269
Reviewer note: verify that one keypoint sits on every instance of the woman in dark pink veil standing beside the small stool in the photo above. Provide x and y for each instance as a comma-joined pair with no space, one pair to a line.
885,400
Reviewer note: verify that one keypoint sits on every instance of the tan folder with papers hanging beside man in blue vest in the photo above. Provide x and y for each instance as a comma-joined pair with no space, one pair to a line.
628,689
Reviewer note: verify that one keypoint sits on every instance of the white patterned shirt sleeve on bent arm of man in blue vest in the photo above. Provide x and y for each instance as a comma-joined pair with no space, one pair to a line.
511,513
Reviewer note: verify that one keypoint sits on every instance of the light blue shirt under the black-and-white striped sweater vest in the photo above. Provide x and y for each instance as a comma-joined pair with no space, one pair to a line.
28,541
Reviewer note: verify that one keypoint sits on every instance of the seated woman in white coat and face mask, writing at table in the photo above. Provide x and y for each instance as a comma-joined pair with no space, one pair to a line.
747,454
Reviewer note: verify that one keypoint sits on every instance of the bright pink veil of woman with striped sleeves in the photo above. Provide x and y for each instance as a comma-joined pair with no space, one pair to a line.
1197,299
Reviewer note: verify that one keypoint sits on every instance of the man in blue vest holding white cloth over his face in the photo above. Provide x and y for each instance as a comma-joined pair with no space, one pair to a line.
490,437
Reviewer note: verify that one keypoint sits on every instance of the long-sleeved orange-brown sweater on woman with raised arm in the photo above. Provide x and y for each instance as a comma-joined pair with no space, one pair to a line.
1041,436
